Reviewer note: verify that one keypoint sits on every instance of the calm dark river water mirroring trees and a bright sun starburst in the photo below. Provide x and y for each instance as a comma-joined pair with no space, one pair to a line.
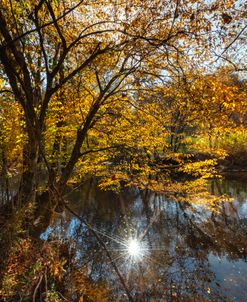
165,250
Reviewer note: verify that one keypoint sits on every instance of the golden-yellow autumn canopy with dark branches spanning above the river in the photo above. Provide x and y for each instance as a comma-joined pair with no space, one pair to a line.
109,88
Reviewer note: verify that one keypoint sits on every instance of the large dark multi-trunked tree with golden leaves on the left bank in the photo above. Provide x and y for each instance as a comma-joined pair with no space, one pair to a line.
54,53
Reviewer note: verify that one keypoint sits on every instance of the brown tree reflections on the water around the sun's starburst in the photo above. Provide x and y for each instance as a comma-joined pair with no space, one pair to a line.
180,238
